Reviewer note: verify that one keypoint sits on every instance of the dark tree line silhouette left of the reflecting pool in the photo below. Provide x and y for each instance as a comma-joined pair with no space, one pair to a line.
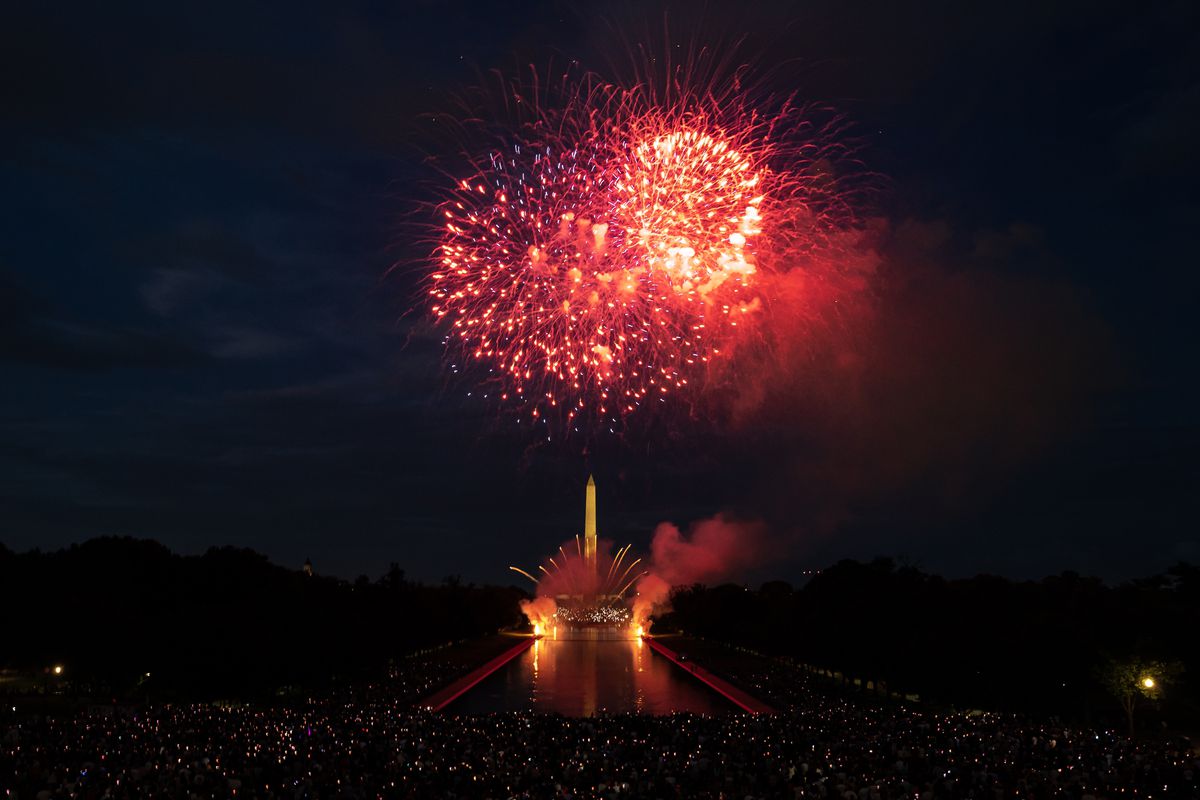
227,624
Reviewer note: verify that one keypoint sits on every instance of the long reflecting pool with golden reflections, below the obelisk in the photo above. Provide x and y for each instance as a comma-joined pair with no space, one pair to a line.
586,671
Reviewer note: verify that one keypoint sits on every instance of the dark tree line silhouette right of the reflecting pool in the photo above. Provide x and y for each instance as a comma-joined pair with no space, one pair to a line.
986,642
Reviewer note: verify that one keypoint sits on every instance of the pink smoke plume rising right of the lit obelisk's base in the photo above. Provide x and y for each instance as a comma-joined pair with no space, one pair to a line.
715,550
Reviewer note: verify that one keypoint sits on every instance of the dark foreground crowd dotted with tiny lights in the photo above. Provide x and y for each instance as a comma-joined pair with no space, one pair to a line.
820,748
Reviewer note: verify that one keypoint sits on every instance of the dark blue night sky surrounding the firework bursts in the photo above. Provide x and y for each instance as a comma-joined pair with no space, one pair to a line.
203,340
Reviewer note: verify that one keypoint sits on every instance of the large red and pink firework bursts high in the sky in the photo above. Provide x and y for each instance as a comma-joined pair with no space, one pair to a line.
614,245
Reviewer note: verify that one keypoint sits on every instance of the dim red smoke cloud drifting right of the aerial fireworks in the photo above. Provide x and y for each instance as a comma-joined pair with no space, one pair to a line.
965,365
